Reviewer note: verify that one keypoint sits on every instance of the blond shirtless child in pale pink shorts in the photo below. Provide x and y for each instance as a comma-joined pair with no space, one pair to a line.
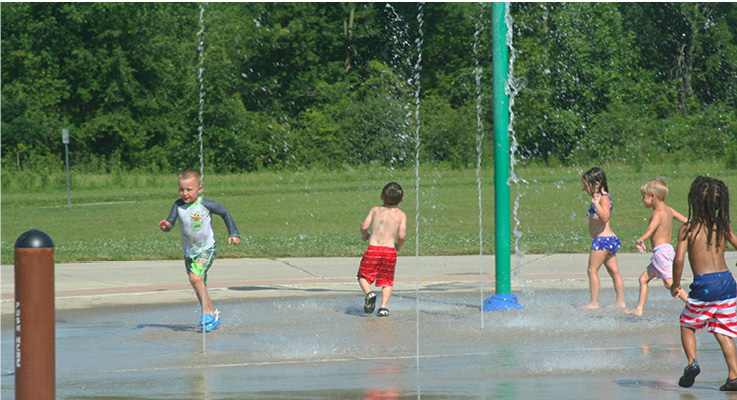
659,232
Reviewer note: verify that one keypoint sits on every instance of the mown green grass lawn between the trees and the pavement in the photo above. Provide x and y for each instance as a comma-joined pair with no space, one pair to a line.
318,213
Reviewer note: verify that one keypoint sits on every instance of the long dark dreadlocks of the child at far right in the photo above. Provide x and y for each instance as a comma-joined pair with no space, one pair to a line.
708,206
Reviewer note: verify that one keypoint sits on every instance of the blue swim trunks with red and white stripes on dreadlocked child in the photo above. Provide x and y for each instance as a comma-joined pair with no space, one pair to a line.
711,304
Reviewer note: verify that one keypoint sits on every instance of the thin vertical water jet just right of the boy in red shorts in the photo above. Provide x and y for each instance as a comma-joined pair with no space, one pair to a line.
416,82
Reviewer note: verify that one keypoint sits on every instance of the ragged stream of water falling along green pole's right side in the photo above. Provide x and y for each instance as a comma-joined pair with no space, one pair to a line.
512,87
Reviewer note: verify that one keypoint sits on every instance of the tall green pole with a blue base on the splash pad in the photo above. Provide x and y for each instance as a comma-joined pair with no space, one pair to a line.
503,300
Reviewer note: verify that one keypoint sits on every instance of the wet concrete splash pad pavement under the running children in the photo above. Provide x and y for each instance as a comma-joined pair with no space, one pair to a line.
283,340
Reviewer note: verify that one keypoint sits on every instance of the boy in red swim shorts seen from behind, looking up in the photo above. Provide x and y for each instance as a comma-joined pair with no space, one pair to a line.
386,223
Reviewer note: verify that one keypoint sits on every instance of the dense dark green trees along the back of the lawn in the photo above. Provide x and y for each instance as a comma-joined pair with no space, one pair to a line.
292,85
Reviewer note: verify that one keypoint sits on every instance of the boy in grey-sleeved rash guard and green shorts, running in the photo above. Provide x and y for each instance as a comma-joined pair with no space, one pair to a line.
198,239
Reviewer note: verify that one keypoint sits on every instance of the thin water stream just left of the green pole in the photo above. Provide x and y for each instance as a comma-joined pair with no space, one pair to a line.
479,148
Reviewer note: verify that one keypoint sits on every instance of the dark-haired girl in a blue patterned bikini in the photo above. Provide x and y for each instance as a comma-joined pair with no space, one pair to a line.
605,244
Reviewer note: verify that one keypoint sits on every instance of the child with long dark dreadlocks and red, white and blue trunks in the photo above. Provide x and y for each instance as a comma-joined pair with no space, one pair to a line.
712,301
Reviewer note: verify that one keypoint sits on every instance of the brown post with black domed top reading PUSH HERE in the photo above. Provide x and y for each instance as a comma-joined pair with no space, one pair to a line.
35,354
